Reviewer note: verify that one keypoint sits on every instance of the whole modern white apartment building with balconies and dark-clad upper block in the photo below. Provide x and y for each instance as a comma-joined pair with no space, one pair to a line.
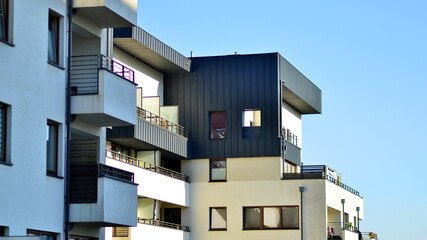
108,133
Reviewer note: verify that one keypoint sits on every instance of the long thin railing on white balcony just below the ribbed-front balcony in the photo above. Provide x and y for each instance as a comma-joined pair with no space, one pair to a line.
148,166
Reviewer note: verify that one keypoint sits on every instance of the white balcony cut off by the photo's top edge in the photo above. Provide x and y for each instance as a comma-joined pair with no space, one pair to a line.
107,13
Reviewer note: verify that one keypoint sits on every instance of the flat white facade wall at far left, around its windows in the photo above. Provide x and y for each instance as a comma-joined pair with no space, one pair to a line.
35,90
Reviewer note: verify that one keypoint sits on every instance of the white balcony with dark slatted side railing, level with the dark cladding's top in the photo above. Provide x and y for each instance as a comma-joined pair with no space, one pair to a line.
103,91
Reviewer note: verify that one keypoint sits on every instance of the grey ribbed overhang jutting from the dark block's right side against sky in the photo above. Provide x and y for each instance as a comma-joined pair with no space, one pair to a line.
298,91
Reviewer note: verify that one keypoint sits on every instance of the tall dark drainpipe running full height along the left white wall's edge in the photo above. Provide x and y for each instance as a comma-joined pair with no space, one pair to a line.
68,123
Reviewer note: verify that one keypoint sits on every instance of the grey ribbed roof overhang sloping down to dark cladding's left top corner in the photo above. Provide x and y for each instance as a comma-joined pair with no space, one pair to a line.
145,47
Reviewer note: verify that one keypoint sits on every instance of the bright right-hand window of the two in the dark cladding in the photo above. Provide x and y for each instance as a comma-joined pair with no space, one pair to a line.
251,123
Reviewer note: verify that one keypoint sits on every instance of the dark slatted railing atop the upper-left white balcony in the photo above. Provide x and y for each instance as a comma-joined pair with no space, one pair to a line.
85,74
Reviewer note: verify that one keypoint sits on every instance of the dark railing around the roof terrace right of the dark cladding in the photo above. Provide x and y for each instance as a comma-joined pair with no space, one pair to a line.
313,172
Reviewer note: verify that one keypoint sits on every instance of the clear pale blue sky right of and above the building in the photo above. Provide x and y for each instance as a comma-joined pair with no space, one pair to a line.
368,57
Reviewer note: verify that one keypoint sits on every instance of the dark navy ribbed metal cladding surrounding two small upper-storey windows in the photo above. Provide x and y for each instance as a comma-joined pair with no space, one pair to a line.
228,83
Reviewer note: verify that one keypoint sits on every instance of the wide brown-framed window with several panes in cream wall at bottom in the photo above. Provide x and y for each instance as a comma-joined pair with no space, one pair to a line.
280,217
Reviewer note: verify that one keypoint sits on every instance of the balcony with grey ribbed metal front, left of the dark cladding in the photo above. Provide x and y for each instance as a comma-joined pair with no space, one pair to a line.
152,132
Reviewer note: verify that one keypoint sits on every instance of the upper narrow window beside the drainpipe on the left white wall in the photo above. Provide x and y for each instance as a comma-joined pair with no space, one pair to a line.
53,42
